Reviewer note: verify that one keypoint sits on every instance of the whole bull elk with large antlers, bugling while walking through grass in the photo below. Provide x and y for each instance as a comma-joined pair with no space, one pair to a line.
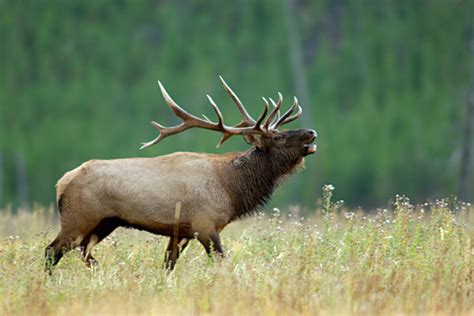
214,190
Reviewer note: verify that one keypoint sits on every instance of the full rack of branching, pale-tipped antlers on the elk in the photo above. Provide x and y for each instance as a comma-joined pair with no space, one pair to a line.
247,126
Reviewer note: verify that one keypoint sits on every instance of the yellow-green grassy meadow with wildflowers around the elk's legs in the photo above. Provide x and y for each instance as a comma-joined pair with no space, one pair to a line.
409,260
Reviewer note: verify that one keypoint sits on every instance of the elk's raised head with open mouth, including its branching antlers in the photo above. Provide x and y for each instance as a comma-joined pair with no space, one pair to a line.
263,132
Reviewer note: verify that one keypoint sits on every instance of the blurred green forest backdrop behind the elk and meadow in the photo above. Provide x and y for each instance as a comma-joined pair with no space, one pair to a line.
385,83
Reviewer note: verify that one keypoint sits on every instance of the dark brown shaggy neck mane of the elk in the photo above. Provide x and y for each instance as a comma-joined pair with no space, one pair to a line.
253,176
